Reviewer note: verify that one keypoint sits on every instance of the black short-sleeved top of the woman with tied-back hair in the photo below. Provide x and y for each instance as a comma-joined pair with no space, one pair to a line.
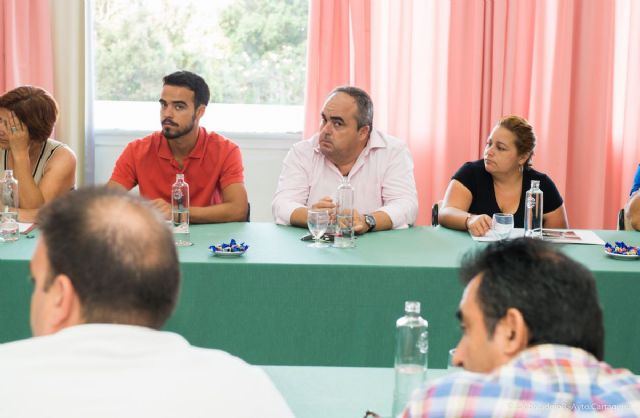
479,181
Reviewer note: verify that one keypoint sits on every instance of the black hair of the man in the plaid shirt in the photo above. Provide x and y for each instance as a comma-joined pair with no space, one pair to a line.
556,295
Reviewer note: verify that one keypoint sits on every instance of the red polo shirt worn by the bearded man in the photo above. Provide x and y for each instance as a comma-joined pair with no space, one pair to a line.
214,163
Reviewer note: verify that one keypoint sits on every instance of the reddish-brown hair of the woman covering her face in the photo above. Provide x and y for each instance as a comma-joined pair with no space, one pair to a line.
35,107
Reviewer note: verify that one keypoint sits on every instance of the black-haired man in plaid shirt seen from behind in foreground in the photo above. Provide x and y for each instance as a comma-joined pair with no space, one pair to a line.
532,343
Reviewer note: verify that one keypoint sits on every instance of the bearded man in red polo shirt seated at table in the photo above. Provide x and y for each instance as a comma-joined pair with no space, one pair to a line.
211,163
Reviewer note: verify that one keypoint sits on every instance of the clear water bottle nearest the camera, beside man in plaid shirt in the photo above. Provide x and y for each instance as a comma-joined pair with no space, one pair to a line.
412,346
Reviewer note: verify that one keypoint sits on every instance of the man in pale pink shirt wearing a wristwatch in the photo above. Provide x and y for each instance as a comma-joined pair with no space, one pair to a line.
378,166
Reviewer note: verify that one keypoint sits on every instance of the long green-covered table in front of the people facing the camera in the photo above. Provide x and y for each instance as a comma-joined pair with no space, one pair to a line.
283,303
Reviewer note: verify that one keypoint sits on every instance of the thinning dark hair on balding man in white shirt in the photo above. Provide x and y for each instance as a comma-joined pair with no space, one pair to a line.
118,252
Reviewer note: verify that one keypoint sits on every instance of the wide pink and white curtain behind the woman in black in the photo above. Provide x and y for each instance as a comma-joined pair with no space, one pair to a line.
442,73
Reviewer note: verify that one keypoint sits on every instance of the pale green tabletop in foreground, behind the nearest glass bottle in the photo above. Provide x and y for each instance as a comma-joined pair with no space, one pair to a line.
335,392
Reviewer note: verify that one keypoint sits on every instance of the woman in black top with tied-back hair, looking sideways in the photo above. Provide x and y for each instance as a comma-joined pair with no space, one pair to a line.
498,183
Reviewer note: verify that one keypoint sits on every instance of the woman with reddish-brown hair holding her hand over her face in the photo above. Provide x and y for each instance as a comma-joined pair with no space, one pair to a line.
44,167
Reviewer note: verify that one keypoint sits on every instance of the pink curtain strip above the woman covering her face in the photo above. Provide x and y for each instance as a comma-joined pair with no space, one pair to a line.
26,55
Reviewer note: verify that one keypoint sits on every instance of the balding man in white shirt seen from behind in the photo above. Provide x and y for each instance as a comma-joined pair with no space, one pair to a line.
106,278
